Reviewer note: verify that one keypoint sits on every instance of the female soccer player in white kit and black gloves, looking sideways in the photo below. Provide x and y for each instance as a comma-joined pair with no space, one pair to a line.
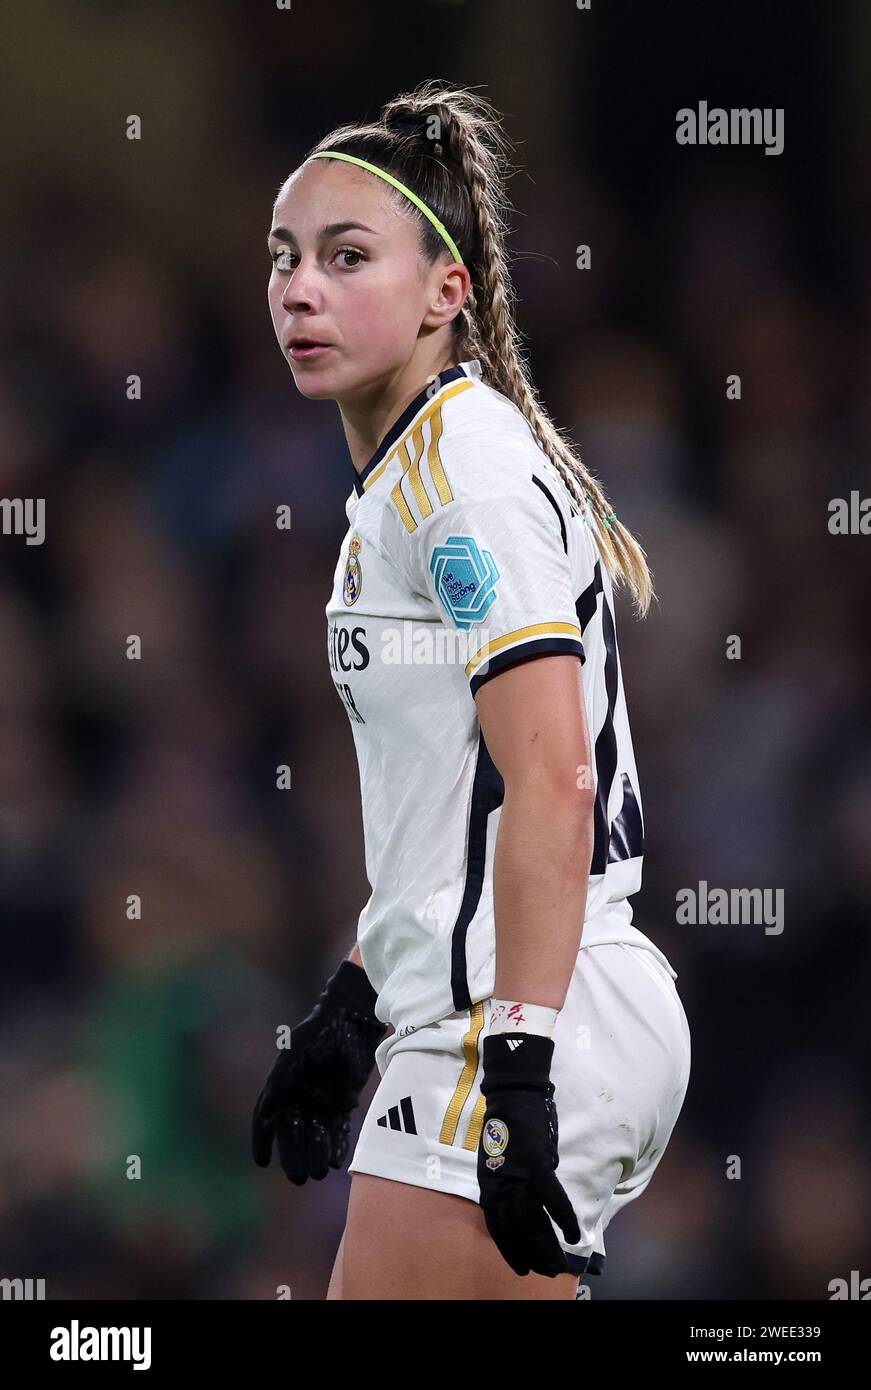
472,641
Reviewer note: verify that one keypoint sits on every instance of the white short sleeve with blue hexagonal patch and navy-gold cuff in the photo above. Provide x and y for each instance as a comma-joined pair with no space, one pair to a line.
495,566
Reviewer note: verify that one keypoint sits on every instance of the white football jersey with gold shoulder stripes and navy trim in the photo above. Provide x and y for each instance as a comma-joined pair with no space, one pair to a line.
465,555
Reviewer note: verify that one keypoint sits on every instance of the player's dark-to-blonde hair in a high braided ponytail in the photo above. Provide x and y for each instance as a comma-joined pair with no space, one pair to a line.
448,144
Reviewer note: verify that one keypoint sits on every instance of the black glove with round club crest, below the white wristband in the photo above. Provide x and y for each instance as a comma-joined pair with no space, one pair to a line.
517,1156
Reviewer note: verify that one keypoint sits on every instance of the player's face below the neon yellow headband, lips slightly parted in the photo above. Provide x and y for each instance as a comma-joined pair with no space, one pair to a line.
363,291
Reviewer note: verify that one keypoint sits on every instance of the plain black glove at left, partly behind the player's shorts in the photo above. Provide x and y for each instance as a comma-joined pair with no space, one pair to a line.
316,1084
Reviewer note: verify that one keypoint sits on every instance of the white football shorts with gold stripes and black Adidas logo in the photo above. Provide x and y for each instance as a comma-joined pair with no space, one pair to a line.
620,1071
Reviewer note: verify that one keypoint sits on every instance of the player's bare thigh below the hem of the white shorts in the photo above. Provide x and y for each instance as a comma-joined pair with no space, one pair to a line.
404,1242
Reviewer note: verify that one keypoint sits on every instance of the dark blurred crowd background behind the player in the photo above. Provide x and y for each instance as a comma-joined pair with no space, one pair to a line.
158,778
